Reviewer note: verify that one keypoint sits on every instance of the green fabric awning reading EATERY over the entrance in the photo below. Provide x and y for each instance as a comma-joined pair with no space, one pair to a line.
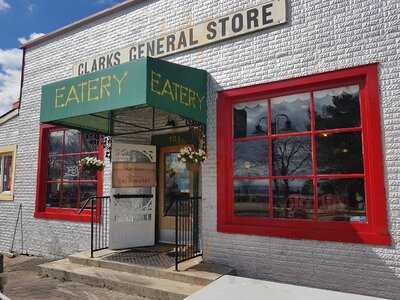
87,102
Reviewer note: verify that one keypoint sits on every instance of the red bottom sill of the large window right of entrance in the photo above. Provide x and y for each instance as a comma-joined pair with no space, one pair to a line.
303,233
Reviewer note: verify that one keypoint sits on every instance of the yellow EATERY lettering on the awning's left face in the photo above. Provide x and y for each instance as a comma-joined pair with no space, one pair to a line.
90,90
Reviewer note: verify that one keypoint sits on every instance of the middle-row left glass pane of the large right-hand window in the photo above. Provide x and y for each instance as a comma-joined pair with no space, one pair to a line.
251,158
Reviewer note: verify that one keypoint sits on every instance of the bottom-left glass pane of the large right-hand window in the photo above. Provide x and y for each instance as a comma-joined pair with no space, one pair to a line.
251,198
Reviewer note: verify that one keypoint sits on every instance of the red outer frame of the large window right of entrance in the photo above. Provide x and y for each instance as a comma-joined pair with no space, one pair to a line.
375,231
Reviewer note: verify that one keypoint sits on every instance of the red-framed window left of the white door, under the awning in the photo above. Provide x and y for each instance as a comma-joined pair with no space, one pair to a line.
63,186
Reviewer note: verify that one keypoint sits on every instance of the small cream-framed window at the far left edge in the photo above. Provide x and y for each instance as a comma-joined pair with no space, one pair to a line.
7,167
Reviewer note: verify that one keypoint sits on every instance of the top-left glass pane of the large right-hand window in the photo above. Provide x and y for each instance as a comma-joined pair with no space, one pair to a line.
250,119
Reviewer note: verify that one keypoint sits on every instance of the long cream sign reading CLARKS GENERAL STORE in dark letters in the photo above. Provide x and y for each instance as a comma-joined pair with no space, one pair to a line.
266,15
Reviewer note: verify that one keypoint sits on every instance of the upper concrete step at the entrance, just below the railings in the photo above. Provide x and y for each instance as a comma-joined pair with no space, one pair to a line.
192,272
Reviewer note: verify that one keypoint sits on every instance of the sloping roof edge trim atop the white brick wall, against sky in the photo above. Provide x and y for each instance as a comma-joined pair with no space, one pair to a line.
87,20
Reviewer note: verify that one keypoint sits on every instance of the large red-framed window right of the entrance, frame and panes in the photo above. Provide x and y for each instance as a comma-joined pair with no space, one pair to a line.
303,159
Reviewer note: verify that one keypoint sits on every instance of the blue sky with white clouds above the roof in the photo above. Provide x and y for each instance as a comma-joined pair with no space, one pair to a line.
23,19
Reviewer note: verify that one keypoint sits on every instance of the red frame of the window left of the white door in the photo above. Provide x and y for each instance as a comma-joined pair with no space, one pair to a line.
67,214
